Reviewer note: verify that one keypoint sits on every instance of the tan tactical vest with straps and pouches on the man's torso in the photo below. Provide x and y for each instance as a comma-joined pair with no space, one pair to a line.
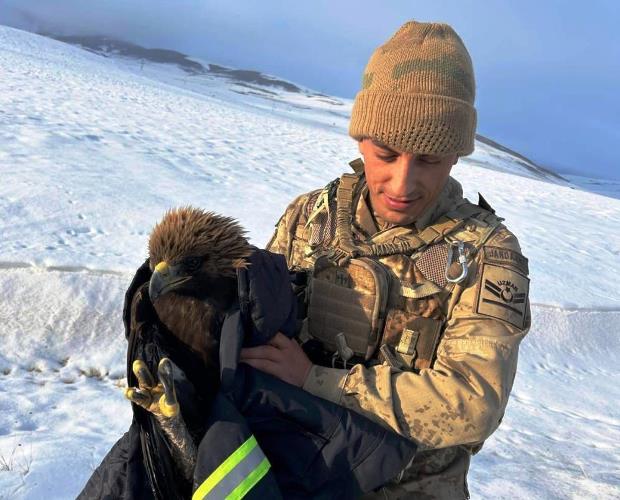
385,299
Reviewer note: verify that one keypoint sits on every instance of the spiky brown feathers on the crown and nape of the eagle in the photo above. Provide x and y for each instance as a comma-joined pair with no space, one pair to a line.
192,232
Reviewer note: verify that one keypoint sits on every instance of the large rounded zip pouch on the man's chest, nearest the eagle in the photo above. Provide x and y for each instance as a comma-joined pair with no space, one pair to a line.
347,306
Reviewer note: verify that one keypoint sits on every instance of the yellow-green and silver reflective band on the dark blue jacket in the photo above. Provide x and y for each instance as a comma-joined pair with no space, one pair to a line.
237,475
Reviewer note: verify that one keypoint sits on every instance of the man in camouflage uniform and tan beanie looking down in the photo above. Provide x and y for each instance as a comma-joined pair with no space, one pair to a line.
418,299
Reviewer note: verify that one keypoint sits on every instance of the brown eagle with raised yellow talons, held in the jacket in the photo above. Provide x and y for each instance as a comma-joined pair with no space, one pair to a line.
194,256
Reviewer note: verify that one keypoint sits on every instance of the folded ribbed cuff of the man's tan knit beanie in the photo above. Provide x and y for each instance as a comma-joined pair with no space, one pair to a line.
415,123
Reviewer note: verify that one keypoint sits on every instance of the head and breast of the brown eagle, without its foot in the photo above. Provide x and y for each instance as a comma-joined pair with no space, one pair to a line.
194,256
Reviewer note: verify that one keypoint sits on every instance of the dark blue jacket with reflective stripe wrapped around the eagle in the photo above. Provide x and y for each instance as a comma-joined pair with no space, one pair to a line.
258,437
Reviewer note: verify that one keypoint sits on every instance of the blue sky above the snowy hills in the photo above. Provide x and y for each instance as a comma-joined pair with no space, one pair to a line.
548,71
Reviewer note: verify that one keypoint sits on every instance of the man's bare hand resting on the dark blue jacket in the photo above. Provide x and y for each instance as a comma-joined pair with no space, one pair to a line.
281,357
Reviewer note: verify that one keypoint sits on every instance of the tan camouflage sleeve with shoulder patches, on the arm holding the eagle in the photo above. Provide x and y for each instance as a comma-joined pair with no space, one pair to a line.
462,398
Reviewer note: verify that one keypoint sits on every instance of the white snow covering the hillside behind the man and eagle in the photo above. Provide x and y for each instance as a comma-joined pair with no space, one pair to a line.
93,150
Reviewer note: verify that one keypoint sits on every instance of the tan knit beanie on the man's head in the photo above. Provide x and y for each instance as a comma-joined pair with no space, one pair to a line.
418,93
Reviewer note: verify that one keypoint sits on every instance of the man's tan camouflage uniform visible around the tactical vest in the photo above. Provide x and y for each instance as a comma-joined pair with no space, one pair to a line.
451,407
